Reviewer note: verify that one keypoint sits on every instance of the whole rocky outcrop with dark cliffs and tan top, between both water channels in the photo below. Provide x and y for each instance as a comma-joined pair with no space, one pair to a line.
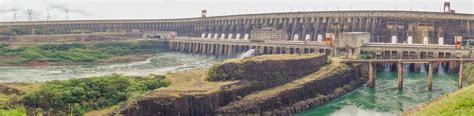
262,79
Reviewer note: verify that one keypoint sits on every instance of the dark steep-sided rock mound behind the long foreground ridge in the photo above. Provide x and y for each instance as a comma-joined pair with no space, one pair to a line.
268,73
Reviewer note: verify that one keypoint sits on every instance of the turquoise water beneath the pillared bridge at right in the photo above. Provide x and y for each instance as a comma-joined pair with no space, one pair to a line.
385,99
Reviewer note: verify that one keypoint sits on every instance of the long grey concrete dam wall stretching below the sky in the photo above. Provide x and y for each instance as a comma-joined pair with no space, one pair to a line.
382,25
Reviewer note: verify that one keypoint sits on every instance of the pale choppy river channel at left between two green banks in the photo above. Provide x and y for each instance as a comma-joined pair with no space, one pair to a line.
160,63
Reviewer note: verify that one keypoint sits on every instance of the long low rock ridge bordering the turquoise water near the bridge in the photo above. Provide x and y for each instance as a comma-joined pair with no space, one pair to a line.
299,94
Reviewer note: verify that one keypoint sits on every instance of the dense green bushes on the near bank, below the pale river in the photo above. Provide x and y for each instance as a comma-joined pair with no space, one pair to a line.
81,95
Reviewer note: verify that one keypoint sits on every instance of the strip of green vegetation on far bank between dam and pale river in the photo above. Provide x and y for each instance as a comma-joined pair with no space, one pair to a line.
78,52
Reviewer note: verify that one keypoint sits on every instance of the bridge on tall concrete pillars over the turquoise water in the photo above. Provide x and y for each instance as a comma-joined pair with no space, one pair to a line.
399,62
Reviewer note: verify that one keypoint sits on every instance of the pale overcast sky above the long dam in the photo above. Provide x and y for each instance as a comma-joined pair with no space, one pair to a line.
166,9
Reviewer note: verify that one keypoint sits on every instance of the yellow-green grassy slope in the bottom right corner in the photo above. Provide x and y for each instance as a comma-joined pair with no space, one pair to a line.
457,104
